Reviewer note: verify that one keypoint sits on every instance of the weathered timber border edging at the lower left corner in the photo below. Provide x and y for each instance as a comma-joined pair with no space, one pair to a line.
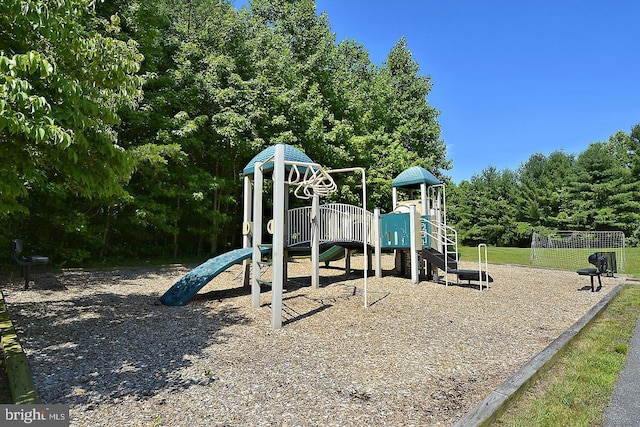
21,385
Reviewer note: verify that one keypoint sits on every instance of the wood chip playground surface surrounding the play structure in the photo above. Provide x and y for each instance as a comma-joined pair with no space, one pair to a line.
421,354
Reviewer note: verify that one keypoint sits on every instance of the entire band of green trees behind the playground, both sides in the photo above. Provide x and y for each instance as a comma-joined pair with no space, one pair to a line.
125,126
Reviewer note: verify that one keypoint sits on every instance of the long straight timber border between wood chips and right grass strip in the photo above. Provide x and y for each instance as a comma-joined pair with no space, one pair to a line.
498,400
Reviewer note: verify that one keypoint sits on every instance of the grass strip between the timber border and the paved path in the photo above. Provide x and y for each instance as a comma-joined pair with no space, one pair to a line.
577,388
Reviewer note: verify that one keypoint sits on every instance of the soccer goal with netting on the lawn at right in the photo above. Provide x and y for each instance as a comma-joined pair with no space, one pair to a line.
569,250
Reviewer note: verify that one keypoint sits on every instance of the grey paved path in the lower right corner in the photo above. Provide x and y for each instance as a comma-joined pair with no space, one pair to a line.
624,409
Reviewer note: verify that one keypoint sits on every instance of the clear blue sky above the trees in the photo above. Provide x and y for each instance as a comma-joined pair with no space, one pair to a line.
510,77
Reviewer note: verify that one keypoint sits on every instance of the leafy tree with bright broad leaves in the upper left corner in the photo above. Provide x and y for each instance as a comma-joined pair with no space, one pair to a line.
63,77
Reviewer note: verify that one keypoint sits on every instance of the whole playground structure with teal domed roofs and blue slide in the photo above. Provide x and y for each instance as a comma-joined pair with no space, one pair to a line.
416,230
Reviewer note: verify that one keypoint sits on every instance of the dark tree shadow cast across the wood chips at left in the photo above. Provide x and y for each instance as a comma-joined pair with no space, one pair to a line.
84,350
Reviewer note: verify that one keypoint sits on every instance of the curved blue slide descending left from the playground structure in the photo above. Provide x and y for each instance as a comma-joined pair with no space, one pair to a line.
184,289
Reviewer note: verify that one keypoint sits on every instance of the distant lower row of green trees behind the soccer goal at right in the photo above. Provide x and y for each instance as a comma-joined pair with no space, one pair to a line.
595,190
